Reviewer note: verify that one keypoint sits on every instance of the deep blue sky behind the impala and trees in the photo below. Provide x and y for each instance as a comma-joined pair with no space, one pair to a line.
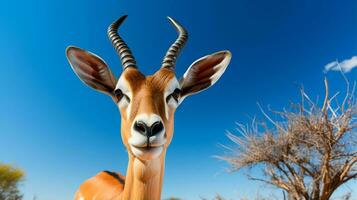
62,132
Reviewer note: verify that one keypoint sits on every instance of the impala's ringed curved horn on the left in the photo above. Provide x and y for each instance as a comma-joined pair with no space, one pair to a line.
126,57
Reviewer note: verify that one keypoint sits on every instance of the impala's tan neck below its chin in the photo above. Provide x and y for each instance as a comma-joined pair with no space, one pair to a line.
144,178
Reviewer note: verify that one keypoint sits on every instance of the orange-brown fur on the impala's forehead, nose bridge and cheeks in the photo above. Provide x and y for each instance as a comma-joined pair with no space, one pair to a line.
147,97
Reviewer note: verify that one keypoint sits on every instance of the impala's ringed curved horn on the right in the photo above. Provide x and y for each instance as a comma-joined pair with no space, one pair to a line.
173,52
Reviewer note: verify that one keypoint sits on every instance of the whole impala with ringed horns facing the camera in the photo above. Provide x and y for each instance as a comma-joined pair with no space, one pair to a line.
147,105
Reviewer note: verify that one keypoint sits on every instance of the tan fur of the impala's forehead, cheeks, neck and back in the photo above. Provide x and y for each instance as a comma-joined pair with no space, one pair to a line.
143,178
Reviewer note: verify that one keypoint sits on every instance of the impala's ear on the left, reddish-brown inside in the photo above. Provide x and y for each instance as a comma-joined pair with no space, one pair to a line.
91,70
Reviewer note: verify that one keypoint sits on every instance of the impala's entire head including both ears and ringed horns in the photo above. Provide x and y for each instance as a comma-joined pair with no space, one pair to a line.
147,103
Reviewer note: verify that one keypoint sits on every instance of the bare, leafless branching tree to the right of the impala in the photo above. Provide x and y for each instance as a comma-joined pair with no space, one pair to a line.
309,151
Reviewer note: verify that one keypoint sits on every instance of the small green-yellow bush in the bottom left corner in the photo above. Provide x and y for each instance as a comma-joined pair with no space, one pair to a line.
10,178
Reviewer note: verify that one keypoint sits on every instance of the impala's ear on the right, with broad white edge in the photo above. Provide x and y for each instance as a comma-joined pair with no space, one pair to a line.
204,72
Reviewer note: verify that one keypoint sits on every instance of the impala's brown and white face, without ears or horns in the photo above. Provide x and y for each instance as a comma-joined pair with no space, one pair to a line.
147,106
